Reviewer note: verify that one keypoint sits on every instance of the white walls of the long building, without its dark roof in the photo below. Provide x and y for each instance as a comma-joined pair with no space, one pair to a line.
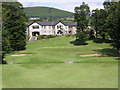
49,29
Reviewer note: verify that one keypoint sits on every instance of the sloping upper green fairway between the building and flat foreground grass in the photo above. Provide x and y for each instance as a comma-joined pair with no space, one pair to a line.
59,50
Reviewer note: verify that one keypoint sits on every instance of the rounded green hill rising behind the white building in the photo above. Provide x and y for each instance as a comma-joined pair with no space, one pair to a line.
46,12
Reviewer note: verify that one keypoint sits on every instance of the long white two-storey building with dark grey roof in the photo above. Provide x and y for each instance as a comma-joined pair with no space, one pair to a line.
50,28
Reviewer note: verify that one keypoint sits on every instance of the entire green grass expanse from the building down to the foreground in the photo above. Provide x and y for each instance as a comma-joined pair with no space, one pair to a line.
46,67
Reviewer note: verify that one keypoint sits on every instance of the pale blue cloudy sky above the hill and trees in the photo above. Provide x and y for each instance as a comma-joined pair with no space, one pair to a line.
67,5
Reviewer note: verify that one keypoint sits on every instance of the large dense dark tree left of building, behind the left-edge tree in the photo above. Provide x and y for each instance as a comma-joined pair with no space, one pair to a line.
15,25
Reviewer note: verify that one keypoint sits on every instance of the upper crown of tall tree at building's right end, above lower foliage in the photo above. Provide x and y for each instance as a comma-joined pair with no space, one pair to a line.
81,16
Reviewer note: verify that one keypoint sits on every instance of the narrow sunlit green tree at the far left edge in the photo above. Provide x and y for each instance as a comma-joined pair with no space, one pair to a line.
6,48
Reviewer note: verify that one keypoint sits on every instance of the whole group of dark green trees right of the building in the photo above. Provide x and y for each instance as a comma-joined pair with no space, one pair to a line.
105,23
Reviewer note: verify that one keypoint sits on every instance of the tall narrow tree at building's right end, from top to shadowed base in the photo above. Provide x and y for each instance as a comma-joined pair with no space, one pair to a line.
81,16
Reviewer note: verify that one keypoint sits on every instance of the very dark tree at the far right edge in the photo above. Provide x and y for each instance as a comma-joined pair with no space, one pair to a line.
113,24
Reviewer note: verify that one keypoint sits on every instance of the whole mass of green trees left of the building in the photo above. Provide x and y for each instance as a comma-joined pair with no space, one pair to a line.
13,28
